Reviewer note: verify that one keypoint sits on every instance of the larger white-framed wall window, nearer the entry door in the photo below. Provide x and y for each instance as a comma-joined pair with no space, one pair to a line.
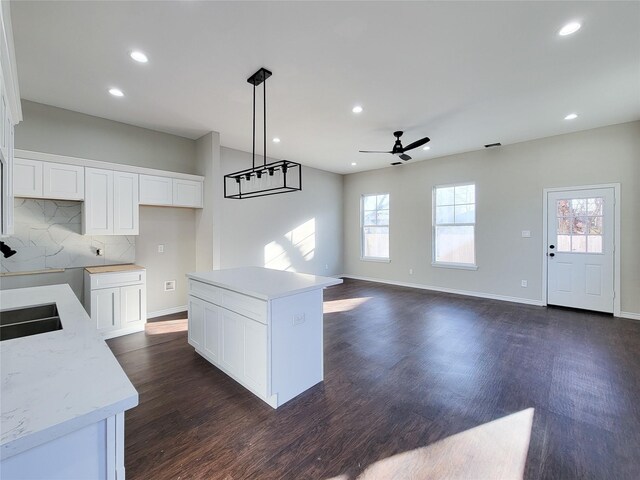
454,220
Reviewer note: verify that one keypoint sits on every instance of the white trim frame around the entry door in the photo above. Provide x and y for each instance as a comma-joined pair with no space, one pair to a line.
616,238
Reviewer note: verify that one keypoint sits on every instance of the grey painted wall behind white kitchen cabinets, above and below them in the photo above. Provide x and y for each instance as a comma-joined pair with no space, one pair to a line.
54,130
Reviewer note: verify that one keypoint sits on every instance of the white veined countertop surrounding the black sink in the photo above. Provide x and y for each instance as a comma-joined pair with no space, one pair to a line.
56,382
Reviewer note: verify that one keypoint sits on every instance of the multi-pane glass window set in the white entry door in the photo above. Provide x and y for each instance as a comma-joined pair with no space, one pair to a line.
580,225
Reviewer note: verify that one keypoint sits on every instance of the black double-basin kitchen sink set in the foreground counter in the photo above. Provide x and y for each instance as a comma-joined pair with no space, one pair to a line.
23,322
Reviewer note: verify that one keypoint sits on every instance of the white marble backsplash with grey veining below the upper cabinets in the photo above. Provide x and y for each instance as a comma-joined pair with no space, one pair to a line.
48,234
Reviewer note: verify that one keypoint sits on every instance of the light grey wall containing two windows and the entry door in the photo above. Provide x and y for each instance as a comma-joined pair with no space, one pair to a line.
509,196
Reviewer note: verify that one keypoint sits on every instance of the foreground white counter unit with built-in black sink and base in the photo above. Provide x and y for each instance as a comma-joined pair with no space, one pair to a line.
63,394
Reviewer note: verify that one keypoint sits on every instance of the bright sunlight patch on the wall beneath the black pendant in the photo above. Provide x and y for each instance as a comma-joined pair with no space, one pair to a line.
298,245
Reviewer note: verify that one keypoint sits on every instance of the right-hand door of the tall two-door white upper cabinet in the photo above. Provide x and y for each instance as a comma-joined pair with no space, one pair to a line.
125,208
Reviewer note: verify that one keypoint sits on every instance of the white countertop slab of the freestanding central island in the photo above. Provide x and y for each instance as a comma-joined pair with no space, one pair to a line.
264,283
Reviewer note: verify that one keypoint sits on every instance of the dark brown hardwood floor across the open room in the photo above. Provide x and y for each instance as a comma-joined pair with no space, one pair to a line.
403,368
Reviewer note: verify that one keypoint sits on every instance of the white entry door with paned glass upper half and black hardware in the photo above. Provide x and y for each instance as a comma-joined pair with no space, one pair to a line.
580,249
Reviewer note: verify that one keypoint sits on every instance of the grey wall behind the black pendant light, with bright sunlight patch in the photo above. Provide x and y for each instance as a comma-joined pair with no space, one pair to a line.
299,231
